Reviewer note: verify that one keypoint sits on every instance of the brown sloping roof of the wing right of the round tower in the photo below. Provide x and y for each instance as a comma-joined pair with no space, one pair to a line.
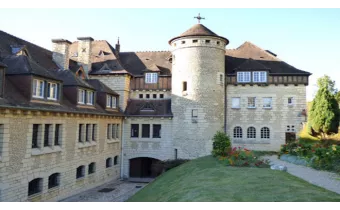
250,57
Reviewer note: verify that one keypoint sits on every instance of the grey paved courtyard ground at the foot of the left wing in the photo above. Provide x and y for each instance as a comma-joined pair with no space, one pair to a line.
122,191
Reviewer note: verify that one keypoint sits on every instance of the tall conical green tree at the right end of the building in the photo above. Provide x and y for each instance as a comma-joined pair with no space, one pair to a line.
324,113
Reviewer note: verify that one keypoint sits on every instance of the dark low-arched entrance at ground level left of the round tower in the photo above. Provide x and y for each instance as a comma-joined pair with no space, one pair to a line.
144,167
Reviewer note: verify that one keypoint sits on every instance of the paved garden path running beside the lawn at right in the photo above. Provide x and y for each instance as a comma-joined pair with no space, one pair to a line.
325,179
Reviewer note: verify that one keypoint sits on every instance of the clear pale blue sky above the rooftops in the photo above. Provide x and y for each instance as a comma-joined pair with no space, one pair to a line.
308,39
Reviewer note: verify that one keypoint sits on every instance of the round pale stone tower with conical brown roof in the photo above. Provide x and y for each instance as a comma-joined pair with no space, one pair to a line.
198,93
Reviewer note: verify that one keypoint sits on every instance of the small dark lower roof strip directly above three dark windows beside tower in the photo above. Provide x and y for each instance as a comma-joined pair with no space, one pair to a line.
159,108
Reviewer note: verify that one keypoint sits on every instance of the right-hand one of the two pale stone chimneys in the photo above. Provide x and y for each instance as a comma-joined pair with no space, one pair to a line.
84,53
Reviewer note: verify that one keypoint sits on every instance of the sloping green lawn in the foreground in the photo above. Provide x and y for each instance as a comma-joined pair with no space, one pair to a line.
207,180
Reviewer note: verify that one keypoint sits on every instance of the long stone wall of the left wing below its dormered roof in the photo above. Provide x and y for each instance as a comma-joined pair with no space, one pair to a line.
21,164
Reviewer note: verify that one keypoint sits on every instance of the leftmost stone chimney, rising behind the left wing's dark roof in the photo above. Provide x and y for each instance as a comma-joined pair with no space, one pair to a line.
60,53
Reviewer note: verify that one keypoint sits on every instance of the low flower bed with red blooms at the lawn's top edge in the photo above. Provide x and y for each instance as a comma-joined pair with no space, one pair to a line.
243,158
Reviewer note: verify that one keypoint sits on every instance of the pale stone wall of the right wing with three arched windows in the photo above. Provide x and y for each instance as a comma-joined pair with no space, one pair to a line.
276,119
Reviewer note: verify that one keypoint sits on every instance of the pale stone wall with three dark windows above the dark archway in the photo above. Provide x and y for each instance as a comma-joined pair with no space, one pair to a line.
158,148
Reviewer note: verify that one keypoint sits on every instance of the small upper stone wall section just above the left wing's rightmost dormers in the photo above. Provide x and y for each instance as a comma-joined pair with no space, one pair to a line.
119,83
